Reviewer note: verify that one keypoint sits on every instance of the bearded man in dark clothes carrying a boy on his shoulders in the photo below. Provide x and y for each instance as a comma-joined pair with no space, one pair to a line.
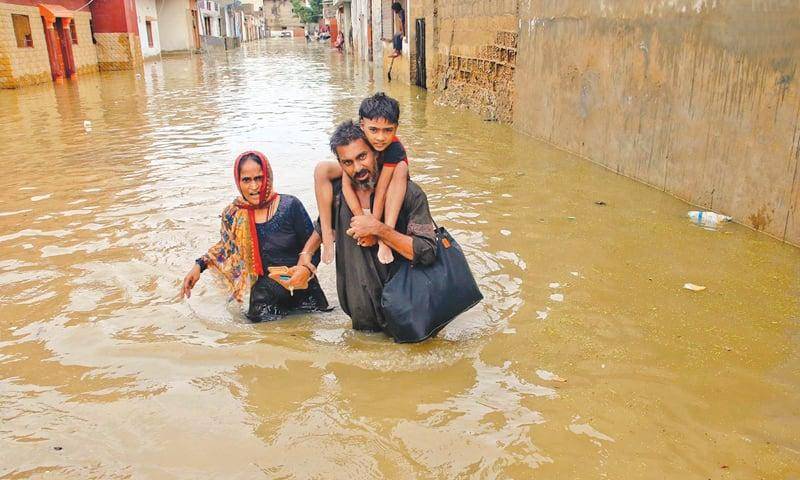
360,276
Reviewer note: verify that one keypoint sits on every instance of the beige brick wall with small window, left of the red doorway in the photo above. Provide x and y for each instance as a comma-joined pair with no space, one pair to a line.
22,66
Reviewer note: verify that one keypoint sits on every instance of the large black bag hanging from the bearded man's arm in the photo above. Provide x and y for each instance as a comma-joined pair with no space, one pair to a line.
419,300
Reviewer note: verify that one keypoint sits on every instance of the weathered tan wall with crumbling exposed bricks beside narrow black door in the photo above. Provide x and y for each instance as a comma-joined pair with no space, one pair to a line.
471,54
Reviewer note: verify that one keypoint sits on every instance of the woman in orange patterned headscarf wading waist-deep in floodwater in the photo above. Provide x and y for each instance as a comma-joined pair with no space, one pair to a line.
263,231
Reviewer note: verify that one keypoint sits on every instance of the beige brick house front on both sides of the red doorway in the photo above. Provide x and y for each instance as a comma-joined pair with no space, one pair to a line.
27,66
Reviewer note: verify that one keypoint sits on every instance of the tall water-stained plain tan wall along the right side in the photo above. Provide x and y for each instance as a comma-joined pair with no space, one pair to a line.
697,98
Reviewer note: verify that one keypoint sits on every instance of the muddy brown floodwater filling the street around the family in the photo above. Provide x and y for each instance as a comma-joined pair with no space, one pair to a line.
105,374
